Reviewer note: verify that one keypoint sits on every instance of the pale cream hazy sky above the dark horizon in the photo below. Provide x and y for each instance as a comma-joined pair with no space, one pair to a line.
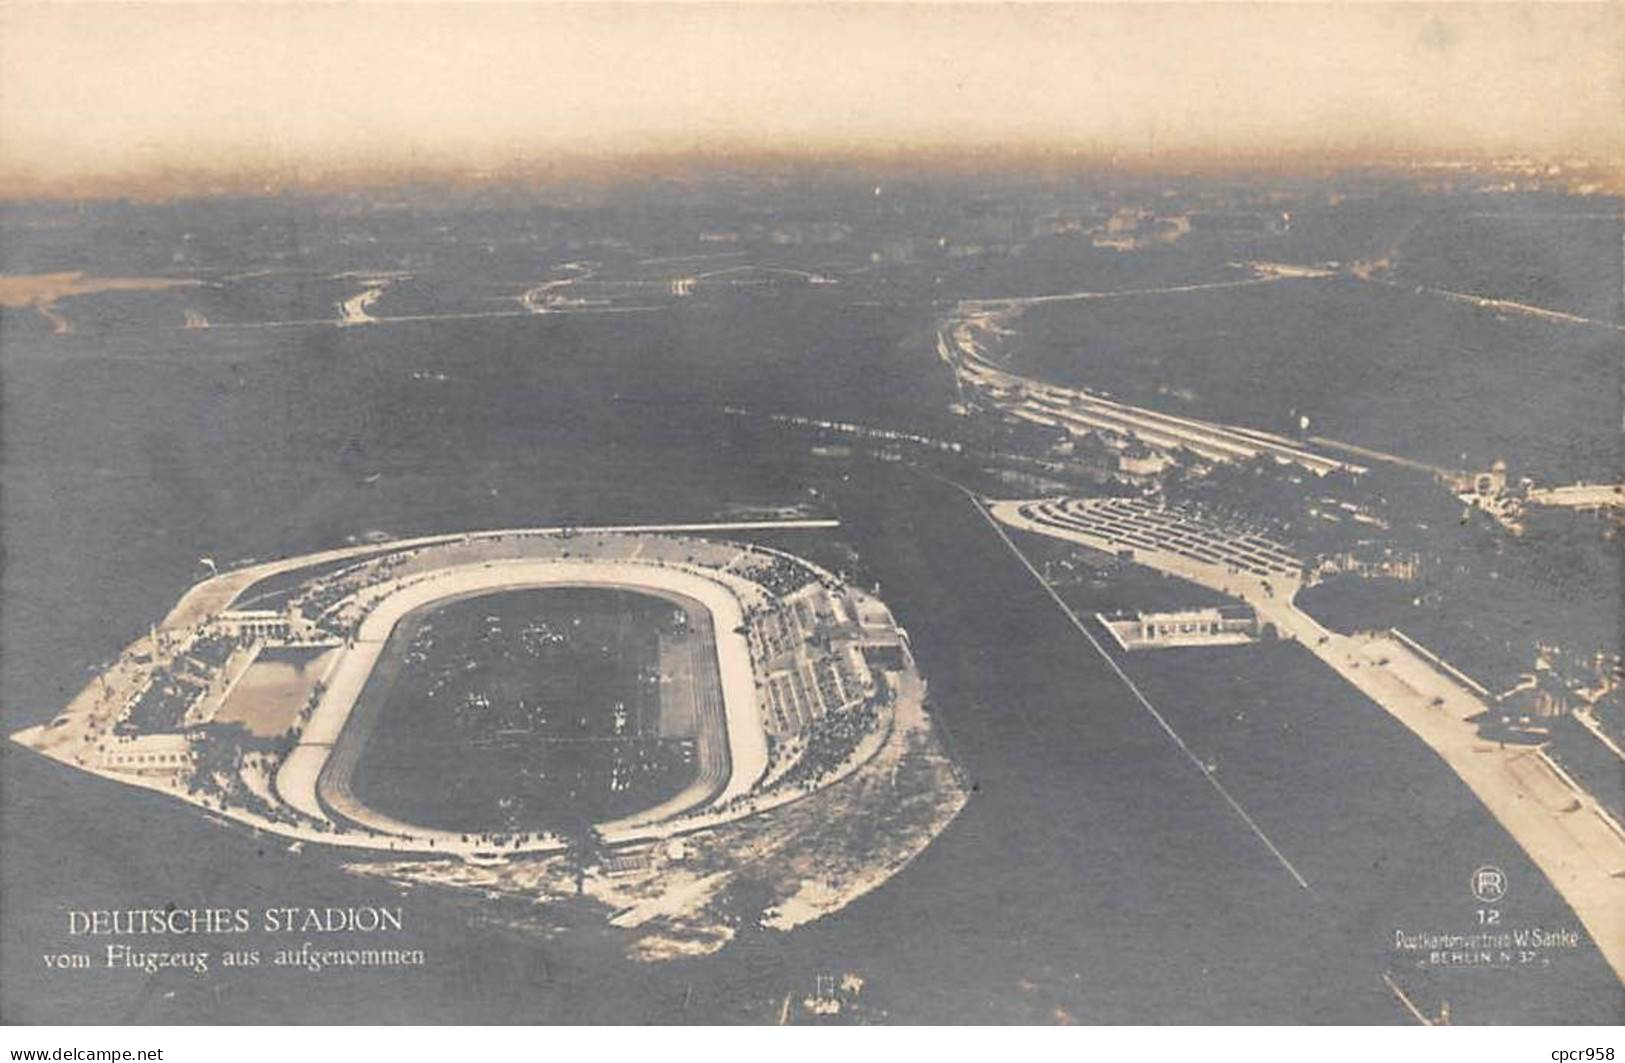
235,93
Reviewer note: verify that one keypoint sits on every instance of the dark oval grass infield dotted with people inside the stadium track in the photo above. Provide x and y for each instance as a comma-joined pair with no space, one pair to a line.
534,709
